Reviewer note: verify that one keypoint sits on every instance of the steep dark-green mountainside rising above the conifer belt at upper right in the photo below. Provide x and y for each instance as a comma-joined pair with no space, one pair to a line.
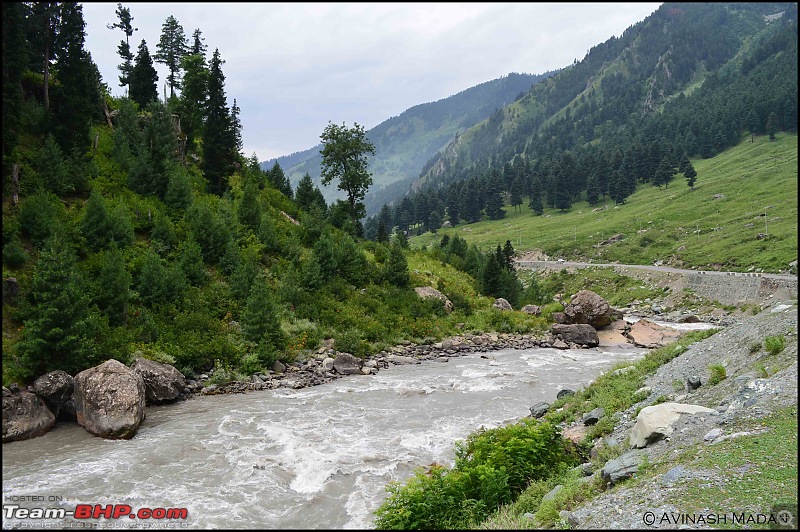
625,83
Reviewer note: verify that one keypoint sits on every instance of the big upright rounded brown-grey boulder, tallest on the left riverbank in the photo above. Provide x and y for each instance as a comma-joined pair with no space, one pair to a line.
110,400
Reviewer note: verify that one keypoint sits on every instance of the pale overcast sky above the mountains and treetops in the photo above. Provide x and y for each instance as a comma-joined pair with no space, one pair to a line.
292,68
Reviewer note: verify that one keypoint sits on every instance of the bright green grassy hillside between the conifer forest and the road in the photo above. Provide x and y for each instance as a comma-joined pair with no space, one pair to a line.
759,184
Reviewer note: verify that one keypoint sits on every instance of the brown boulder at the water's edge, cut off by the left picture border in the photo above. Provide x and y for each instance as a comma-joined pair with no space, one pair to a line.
25,415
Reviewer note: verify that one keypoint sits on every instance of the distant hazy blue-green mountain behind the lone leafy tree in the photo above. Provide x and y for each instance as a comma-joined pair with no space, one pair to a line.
404,143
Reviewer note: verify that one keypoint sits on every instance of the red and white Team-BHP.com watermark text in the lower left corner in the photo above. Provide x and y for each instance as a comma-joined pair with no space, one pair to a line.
93,511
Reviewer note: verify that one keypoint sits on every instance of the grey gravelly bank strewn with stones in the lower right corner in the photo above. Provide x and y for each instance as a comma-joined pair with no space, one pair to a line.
756,384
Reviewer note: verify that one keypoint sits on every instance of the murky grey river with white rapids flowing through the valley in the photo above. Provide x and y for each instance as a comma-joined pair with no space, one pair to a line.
312,458
